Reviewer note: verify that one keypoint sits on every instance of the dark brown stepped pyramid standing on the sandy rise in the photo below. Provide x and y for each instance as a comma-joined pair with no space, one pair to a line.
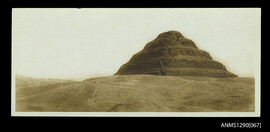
171,54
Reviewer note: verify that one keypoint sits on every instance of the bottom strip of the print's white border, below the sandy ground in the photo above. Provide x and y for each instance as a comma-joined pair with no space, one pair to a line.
137,114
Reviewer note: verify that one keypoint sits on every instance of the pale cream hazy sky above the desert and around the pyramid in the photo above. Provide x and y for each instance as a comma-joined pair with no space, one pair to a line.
82,43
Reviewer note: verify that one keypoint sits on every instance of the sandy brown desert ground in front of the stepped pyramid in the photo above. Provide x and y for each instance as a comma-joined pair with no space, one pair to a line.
139,93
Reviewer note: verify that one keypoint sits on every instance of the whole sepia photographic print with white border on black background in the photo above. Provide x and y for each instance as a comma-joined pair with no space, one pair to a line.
136,62
